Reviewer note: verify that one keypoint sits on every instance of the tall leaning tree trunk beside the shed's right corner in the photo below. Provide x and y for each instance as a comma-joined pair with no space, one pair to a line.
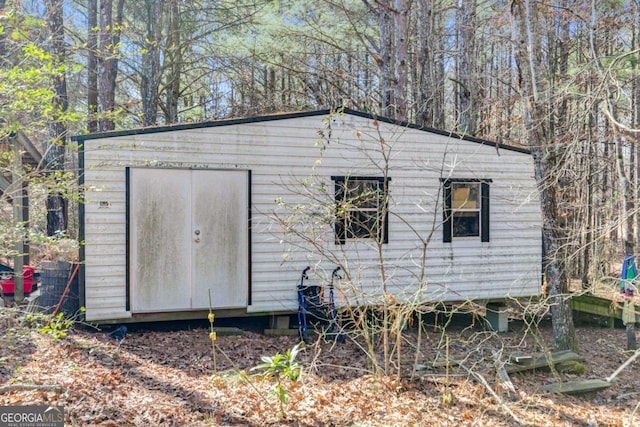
536,121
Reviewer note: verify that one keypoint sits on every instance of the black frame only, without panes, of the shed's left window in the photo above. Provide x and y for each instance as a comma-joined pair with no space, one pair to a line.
340,225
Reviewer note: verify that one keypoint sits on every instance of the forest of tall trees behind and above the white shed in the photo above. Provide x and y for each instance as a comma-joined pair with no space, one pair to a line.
558,77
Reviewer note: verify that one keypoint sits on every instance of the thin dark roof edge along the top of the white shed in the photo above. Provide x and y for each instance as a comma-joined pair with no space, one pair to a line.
283,116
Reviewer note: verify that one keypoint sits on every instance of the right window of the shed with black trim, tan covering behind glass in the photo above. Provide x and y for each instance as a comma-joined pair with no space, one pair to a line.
466,209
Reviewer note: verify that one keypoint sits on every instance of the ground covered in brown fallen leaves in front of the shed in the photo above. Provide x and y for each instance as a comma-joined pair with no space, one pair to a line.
171,376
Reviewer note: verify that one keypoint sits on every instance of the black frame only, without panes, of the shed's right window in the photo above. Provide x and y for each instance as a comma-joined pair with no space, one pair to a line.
448,212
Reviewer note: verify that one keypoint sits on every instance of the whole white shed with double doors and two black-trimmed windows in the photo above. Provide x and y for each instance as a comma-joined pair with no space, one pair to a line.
226,214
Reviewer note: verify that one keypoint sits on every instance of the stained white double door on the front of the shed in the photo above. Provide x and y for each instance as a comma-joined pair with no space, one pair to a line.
188,237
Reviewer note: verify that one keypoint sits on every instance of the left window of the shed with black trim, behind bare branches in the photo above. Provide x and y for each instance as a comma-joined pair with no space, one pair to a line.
360,208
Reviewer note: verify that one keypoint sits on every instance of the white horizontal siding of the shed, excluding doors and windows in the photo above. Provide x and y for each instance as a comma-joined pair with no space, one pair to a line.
286,152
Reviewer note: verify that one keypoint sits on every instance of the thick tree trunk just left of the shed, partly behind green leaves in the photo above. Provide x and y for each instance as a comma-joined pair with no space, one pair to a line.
54,157
